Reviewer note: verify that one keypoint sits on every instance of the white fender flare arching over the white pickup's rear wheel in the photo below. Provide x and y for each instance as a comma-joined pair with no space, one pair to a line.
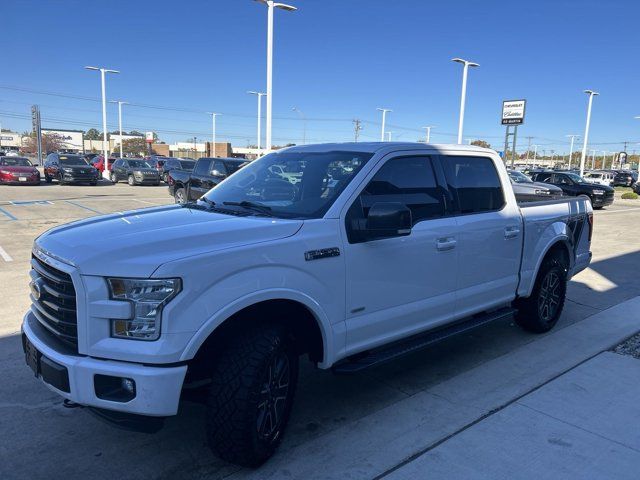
536,247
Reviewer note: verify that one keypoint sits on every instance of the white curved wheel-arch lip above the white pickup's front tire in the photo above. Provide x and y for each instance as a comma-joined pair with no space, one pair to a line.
260,296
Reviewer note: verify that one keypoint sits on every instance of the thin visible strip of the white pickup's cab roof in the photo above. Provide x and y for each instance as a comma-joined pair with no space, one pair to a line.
374,147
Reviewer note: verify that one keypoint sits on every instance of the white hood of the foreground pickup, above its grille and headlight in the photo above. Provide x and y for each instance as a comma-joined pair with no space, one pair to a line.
136,243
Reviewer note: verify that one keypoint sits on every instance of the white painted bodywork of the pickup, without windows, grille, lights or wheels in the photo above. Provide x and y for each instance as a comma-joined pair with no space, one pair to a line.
373,293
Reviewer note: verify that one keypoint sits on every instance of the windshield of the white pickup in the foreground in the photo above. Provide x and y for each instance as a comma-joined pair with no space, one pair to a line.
290,184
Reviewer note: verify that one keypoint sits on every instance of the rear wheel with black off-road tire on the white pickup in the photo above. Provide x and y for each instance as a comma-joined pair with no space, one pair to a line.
540,312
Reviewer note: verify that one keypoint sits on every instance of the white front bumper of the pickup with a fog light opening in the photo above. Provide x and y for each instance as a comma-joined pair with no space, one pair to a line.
157,388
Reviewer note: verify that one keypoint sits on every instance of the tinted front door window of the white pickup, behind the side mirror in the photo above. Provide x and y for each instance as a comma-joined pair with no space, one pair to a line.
410,181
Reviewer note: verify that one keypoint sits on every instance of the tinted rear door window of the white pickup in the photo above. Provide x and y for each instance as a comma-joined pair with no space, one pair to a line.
475,183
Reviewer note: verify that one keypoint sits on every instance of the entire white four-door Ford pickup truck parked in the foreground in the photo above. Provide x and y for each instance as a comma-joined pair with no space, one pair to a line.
376,250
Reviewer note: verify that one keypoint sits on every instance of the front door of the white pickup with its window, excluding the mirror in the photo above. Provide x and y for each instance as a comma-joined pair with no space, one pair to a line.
402,285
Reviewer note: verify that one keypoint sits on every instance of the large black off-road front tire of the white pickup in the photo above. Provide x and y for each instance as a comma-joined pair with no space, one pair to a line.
242,390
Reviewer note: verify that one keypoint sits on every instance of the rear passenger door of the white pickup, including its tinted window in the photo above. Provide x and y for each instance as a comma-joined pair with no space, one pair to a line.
489,233
